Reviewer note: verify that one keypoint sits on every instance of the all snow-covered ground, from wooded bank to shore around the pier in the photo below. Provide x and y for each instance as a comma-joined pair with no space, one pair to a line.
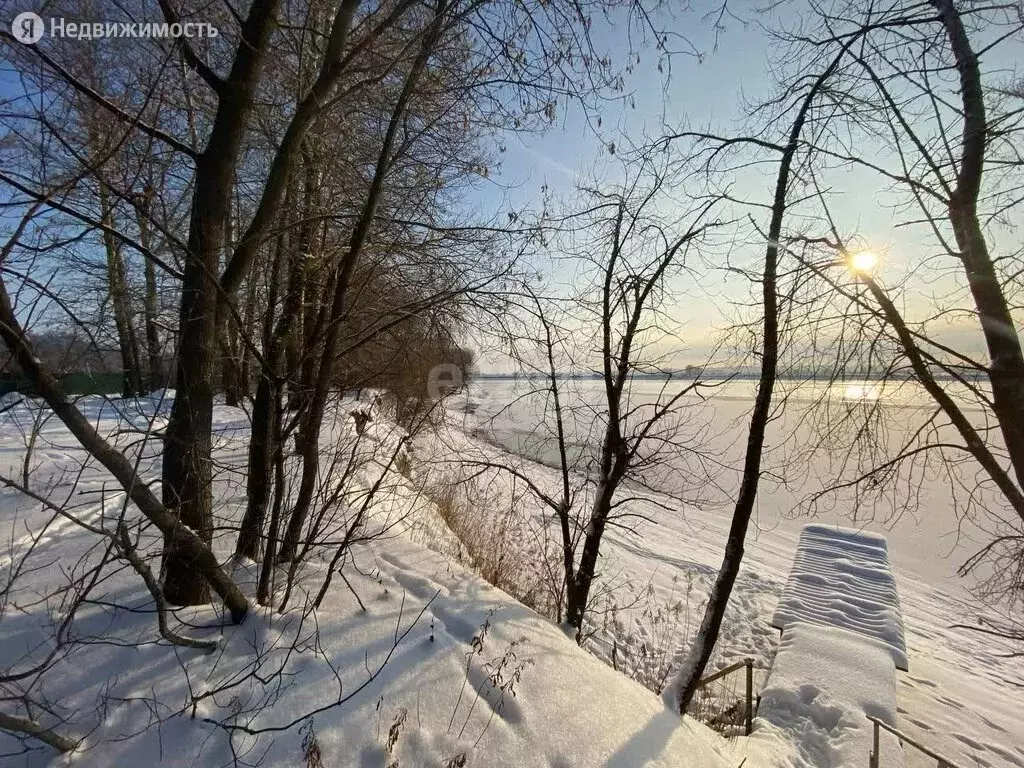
441,694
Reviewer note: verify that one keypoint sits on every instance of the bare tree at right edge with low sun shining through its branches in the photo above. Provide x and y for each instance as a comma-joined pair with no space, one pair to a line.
947,135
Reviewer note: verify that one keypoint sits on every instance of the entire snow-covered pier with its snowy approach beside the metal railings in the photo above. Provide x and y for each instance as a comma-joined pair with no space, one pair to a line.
842,643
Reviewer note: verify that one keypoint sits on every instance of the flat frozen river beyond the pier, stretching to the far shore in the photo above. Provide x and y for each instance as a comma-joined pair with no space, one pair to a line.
810,448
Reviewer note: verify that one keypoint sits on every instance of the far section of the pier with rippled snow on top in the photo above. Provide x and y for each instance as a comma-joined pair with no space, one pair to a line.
841,578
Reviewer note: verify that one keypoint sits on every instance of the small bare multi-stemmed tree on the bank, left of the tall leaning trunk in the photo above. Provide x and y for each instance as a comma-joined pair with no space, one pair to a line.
611,445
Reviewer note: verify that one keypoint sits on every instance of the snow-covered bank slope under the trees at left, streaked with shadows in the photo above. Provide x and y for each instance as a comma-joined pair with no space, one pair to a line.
430,666
